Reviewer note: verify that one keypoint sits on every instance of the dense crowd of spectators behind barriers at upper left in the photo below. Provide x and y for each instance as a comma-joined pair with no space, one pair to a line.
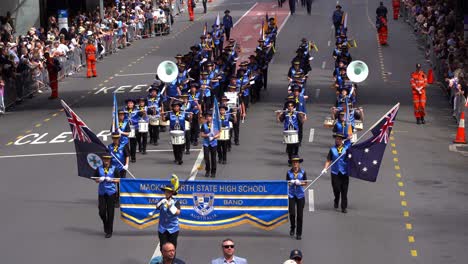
122,23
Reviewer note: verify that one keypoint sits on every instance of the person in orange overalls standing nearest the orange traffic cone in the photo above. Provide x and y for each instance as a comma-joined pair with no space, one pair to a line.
418,86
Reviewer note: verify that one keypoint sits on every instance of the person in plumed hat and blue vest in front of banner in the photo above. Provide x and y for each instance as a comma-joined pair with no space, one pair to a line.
169,211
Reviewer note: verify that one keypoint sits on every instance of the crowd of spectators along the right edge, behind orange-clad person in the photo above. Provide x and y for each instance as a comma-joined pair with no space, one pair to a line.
440,24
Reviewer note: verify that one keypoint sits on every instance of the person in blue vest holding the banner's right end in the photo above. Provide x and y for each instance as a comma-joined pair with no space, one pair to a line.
296,178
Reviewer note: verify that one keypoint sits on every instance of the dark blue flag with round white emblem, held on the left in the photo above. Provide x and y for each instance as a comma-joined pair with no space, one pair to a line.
88,147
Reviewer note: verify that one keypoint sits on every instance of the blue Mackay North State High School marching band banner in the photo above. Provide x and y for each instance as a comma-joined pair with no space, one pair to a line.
208,205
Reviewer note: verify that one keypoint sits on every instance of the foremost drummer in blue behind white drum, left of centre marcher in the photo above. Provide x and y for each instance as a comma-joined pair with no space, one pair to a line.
177,120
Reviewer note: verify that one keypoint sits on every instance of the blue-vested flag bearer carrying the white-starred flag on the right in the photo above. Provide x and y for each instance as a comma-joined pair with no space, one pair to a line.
339,171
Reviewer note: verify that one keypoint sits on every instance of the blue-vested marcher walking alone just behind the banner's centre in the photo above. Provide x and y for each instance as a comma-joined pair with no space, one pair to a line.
210,144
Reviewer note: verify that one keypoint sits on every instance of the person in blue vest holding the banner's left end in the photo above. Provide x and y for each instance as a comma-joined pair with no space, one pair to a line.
106,175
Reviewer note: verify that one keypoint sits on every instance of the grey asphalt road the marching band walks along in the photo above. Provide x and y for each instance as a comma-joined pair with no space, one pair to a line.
414,213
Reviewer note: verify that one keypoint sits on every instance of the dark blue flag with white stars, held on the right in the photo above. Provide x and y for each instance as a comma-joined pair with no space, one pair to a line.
364,158
